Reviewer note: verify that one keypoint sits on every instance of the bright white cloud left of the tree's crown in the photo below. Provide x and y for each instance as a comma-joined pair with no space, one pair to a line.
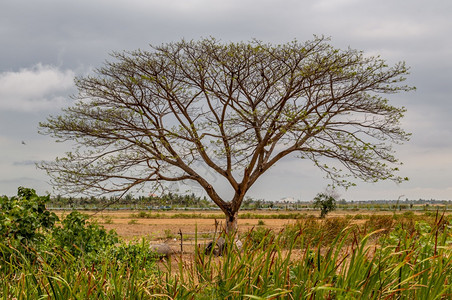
39,88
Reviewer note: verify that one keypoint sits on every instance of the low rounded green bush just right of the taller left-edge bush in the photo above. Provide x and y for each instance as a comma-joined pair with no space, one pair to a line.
77,236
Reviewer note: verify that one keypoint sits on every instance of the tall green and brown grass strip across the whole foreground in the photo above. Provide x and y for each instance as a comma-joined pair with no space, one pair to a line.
307,260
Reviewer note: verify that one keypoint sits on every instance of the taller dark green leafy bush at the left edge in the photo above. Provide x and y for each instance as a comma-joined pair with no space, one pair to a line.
24,219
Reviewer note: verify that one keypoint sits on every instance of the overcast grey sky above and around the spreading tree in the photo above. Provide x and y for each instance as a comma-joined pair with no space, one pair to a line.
45,43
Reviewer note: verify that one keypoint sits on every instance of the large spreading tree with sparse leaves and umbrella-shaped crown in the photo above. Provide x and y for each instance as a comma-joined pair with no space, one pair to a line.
237,109
